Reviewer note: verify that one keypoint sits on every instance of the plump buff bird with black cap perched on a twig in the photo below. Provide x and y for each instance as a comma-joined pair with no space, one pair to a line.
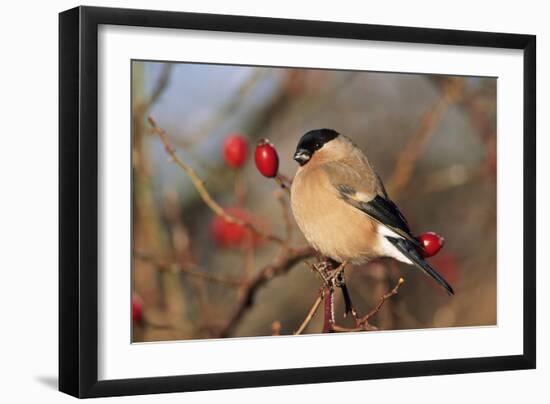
343,210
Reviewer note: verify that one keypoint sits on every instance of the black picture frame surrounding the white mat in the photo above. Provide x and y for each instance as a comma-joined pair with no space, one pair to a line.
78,200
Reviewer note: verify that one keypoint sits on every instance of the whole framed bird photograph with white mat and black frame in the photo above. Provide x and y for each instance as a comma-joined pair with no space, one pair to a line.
251,201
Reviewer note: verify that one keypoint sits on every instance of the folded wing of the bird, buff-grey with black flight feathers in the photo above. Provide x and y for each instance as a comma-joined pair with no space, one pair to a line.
364,191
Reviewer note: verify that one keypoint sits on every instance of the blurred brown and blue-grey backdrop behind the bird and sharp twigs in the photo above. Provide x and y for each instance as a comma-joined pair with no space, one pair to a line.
431,138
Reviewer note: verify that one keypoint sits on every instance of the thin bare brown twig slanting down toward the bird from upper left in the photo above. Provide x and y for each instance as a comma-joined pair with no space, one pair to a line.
199,186
